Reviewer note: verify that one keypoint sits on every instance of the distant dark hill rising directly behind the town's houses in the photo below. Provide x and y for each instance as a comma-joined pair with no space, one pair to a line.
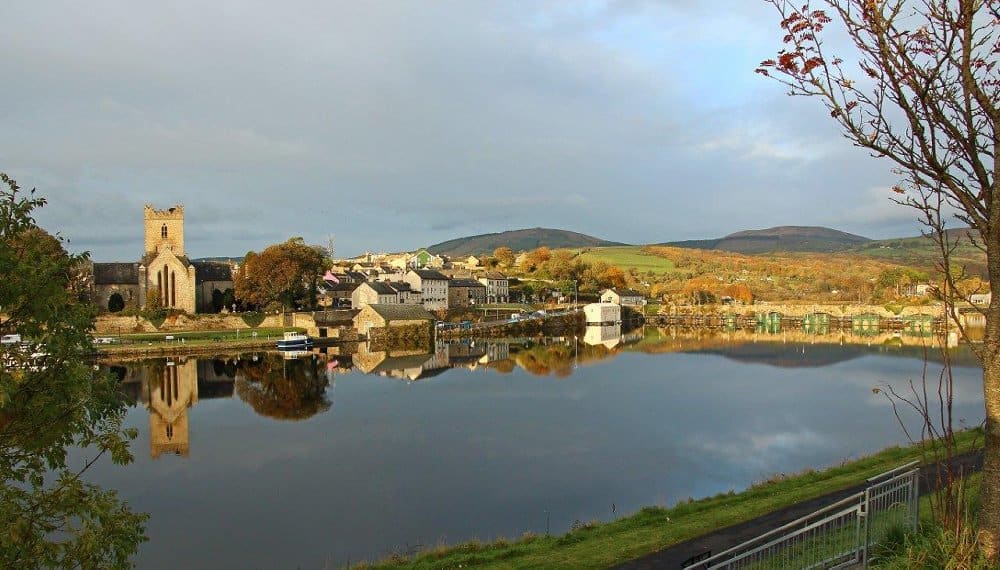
518,240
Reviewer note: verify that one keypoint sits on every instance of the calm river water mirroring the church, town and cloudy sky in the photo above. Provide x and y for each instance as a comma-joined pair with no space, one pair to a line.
271,461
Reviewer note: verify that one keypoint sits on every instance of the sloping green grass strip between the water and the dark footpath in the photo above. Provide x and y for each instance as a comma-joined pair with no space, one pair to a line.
600,545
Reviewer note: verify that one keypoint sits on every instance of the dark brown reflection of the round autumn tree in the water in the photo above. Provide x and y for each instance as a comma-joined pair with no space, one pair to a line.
283,389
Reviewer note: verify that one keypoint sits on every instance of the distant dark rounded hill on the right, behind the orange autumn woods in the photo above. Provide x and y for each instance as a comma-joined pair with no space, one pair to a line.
781,238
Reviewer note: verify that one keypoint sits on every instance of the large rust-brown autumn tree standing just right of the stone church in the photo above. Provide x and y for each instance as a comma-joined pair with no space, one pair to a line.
286,273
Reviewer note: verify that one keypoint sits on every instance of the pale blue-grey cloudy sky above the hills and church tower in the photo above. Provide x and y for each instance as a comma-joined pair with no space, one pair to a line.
396,125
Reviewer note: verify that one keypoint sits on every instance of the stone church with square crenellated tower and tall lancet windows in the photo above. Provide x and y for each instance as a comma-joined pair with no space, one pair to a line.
164,270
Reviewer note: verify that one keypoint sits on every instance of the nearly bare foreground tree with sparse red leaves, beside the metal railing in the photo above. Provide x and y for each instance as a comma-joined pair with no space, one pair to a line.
924,95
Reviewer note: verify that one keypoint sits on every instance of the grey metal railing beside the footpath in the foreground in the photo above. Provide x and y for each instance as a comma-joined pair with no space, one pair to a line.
837,536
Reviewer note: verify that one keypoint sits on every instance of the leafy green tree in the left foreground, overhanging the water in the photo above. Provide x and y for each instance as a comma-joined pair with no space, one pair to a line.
51,401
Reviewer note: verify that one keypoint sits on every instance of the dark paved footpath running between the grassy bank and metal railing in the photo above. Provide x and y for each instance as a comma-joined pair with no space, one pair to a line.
682,555
